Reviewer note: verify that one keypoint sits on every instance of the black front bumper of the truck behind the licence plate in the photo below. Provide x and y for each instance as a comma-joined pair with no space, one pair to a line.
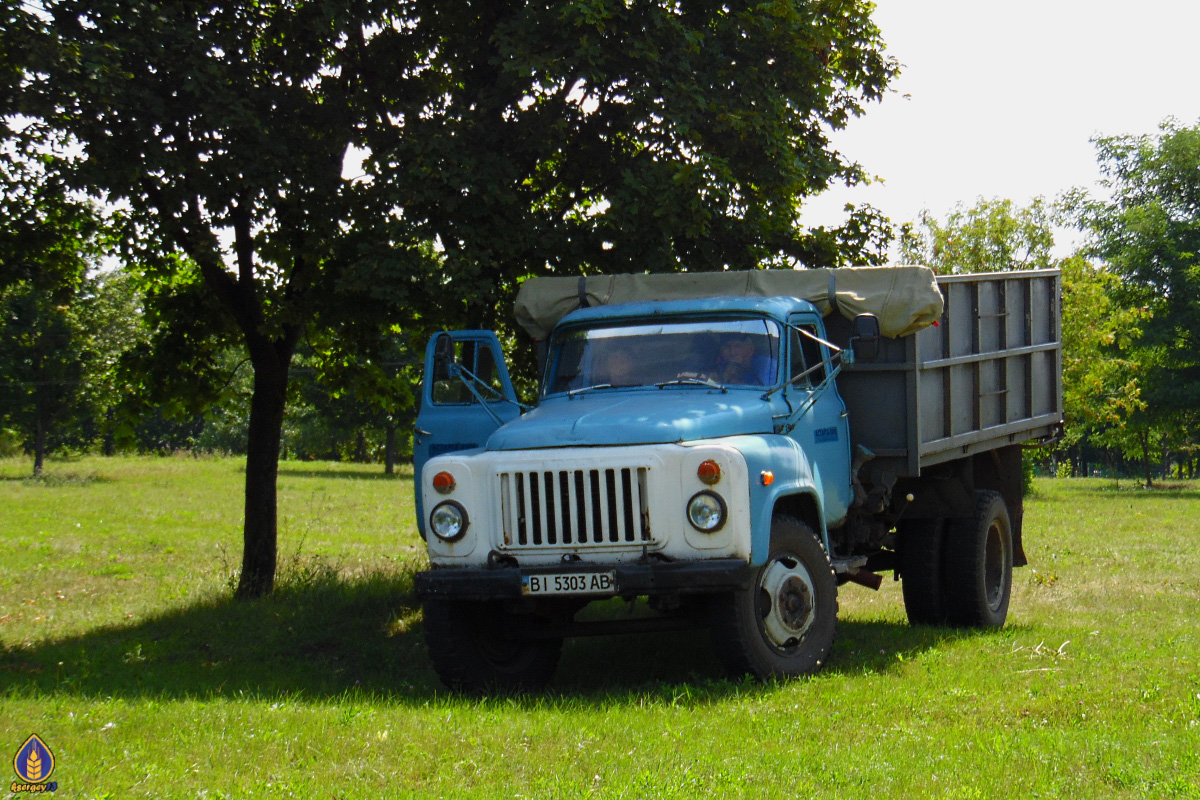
631,580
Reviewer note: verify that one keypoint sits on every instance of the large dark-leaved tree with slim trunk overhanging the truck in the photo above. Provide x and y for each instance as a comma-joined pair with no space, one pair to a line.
502,140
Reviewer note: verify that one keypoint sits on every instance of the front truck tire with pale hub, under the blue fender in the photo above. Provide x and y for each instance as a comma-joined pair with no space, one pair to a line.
783,624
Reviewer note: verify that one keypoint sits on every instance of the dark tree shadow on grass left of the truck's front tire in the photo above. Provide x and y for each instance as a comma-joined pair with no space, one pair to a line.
320,636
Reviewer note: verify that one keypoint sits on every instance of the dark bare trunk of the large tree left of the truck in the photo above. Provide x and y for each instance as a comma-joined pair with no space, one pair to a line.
267,406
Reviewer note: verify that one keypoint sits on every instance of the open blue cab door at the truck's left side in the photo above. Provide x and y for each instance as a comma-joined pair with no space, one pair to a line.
466,395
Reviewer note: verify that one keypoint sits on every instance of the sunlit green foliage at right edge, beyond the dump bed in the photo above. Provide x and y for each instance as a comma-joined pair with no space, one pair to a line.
1147,236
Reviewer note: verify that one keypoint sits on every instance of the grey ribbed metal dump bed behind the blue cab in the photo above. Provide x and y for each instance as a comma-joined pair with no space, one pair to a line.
986,376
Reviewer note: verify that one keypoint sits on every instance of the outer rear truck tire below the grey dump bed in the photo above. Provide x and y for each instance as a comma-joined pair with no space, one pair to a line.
979,575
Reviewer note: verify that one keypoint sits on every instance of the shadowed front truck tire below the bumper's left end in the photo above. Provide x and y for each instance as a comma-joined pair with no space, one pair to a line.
475,649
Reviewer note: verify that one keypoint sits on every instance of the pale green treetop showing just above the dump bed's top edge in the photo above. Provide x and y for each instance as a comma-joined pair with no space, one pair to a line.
991,237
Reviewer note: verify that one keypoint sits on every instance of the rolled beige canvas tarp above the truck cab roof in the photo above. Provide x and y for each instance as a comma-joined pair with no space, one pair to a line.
905,299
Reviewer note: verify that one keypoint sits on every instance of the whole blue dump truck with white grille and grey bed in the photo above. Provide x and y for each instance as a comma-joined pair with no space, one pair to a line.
727,452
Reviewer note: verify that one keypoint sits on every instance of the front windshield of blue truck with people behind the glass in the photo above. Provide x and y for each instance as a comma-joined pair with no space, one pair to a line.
722,352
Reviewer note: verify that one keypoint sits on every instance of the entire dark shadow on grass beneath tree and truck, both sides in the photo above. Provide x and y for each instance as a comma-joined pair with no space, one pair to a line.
325,637
